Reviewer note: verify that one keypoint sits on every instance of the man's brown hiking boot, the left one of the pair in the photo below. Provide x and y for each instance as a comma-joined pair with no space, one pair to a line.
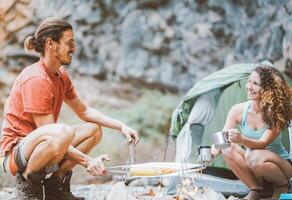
30,189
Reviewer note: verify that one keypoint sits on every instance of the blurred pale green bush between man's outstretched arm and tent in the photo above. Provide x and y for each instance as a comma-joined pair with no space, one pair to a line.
150,115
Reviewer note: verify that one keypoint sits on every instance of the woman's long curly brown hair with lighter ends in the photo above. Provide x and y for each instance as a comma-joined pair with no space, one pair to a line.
275,98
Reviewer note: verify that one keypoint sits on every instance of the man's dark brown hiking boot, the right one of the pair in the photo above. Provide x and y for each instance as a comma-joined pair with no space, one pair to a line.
58,189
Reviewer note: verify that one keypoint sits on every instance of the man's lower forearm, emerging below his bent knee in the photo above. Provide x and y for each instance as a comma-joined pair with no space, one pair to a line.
77,156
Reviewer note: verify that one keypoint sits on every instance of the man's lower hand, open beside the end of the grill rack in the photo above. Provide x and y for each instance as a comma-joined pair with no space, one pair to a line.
96,166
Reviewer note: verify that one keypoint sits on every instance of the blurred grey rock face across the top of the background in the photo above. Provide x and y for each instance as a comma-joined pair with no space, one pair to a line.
165,43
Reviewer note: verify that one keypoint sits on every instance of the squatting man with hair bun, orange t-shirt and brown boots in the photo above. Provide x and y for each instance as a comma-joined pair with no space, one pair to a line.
33,143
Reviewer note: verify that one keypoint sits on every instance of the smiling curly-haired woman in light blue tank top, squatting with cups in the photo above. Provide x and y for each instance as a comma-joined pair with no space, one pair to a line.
257,152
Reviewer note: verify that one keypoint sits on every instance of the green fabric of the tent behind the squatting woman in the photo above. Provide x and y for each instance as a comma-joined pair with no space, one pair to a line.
231,81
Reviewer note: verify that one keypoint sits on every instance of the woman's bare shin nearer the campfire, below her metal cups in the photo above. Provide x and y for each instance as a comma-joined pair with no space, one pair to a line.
235,159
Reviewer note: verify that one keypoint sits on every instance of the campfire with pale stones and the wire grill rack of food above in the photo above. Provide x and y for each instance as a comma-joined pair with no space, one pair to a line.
188,174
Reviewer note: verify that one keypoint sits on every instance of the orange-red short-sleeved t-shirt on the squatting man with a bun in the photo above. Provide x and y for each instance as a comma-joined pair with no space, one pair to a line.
34,91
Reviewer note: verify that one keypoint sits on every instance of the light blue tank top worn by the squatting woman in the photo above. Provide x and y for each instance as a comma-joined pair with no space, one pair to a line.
276,146
